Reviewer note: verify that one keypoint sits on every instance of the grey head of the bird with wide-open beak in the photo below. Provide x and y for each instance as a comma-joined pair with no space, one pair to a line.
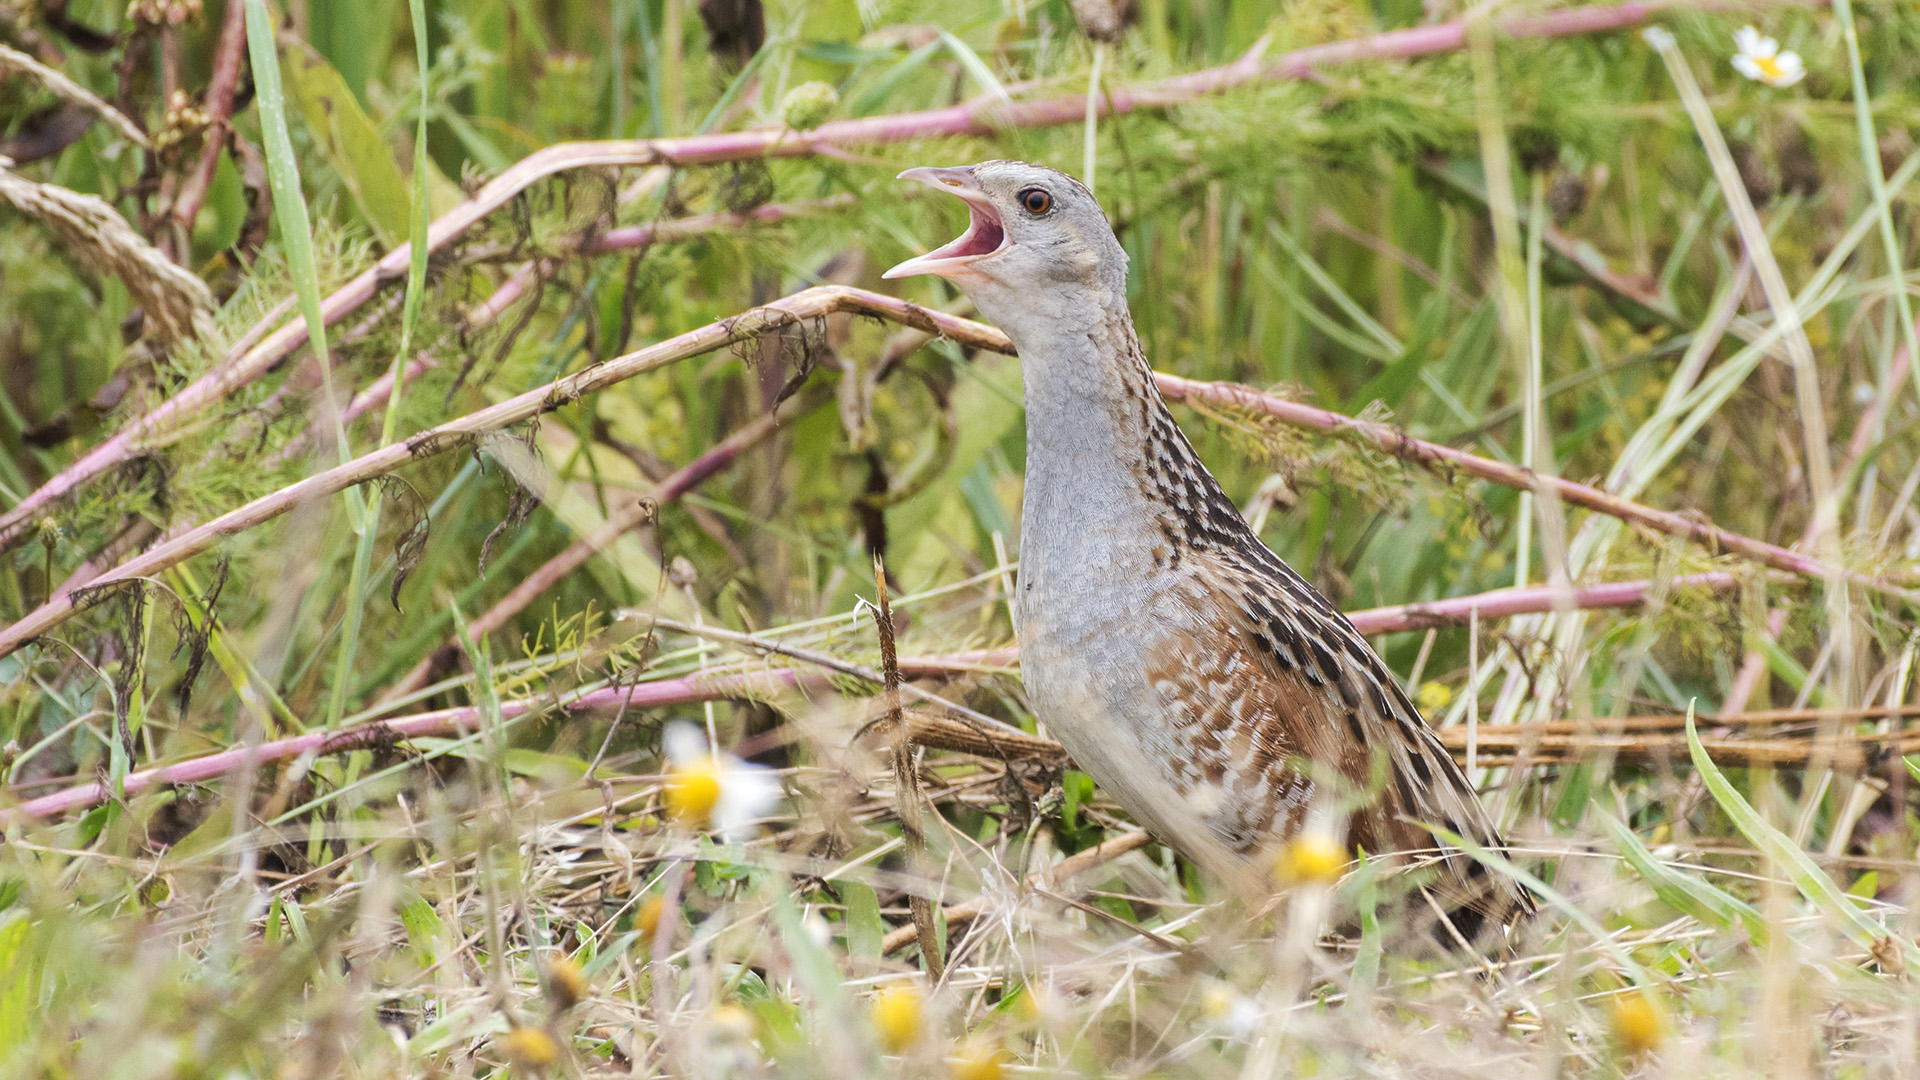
1034,235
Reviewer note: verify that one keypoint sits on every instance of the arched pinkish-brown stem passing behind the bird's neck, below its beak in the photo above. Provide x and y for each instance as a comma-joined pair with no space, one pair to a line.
836,299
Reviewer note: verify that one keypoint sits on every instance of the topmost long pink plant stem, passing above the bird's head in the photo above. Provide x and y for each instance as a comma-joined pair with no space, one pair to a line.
980,118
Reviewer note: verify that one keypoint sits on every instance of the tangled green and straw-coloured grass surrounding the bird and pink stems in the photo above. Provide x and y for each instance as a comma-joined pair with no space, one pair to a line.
1614,264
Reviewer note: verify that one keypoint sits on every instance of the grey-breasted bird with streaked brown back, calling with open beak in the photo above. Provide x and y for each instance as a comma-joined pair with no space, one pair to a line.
1209,689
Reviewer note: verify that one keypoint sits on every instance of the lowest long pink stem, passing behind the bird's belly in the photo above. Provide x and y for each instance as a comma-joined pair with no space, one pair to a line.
775,681
